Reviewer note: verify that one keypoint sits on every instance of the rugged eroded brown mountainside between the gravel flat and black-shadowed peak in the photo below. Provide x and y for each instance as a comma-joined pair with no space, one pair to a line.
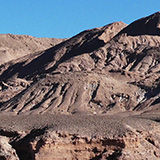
58,79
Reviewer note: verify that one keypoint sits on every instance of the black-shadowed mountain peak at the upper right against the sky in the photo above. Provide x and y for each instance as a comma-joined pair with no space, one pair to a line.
149,25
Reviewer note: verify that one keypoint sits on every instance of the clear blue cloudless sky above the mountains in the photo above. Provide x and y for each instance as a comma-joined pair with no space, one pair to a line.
65,18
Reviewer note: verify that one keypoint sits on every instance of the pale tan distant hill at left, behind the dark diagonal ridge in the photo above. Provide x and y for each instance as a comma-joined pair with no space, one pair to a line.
16,46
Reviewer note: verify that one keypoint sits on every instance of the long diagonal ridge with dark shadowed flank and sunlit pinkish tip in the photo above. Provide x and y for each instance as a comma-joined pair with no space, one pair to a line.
48,60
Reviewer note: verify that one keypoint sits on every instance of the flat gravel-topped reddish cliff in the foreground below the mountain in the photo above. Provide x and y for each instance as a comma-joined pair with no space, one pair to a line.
80,137
